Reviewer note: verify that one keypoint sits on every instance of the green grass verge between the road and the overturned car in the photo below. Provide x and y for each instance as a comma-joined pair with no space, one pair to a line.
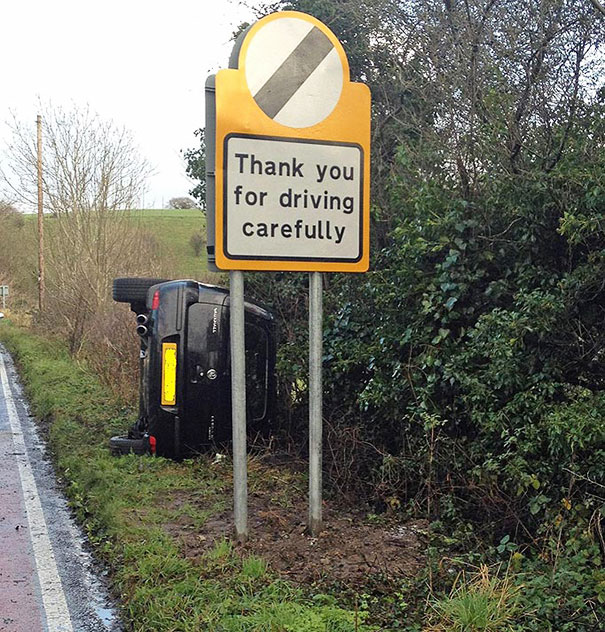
125,505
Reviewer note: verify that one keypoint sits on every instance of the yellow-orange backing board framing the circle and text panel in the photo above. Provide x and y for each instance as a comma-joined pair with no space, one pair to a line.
238,113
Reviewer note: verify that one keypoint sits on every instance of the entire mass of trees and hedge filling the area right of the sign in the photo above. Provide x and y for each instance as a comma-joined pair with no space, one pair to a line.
464,375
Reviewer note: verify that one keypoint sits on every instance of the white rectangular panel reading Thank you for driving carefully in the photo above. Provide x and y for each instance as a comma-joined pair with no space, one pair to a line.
292,199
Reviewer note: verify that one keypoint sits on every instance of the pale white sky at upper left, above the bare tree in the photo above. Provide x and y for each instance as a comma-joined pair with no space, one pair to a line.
141,63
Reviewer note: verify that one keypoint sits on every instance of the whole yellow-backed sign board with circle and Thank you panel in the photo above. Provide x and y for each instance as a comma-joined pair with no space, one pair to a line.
292,152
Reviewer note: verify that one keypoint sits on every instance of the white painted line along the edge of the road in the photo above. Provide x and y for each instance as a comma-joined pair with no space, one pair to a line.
53,597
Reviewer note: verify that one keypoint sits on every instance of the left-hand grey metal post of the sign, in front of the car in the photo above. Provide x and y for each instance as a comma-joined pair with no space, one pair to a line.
238,405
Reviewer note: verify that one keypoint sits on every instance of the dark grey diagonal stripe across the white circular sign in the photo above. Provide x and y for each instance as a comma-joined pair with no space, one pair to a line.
295,70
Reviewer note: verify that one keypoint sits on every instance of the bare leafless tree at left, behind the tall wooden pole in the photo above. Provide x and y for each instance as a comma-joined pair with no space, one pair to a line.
92,172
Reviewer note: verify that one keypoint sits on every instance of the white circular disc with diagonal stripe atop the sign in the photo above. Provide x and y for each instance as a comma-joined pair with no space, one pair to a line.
294,72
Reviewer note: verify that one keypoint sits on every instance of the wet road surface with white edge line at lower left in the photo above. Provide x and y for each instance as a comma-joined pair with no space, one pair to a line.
48,579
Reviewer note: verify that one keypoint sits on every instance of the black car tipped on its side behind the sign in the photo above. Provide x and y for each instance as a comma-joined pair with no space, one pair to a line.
185,375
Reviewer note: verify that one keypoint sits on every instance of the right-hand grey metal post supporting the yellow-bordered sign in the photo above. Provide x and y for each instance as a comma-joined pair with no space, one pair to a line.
315,401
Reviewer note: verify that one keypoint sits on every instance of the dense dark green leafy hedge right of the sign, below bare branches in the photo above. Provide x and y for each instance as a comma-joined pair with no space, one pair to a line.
471,357
